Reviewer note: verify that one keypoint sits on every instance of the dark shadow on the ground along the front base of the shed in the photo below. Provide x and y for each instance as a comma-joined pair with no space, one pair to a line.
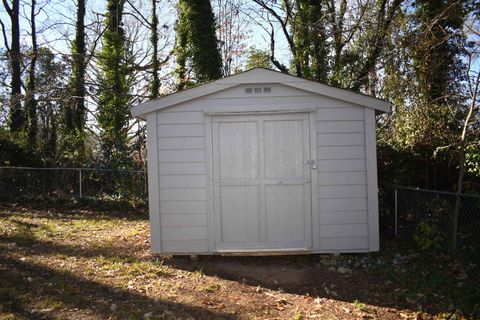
410,281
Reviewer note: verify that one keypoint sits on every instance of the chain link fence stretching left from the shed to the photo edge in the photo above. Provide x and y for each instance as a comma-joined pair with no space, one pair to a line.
22,183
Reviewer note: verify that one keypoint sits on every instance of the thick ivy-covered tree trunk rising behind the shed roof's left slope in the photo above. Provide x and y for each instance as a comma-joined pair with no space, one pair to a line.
197,44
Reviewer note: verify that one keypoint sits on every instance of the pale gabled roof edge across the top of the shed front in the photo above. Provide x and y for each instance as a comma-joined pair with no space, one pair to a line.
257,76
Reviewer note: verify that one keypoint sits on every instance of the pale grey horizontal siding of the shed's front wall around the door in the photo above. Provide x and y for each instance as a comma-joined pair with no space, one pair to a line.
183,175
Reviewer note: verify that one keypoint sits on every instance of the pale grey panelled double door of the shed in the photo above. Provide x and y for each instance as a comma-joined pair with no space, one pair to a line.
262,182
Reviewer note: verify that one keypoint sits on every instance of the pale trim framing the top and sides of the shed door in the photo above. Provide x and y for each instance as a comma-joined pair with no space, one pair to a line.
208,115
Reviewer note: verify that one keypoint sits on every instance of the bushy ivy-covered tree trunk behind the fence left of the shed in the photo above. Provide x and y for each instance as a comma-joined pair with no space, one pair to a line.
113,110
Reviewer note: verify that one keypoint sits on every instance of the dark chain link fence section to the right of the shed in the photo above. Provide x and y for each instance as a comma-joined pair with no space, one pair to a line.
438,220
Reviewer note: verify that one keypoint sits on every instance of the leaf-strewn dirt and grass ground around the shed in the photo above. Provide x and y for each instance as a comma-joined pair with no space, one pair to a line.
86,264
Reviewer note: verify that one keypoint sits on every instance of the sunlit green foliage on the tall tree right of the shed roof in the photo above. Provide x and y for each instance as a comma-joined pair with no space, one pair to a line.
426,47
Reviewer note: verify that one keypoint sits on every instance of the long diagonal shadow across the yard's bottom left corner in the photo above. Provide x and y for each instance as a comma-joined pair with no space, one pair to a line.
77,293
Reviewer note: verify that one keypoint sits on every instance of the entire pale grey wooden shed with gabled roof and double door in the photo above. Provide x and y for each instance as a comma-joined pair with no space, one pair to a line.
262,162
